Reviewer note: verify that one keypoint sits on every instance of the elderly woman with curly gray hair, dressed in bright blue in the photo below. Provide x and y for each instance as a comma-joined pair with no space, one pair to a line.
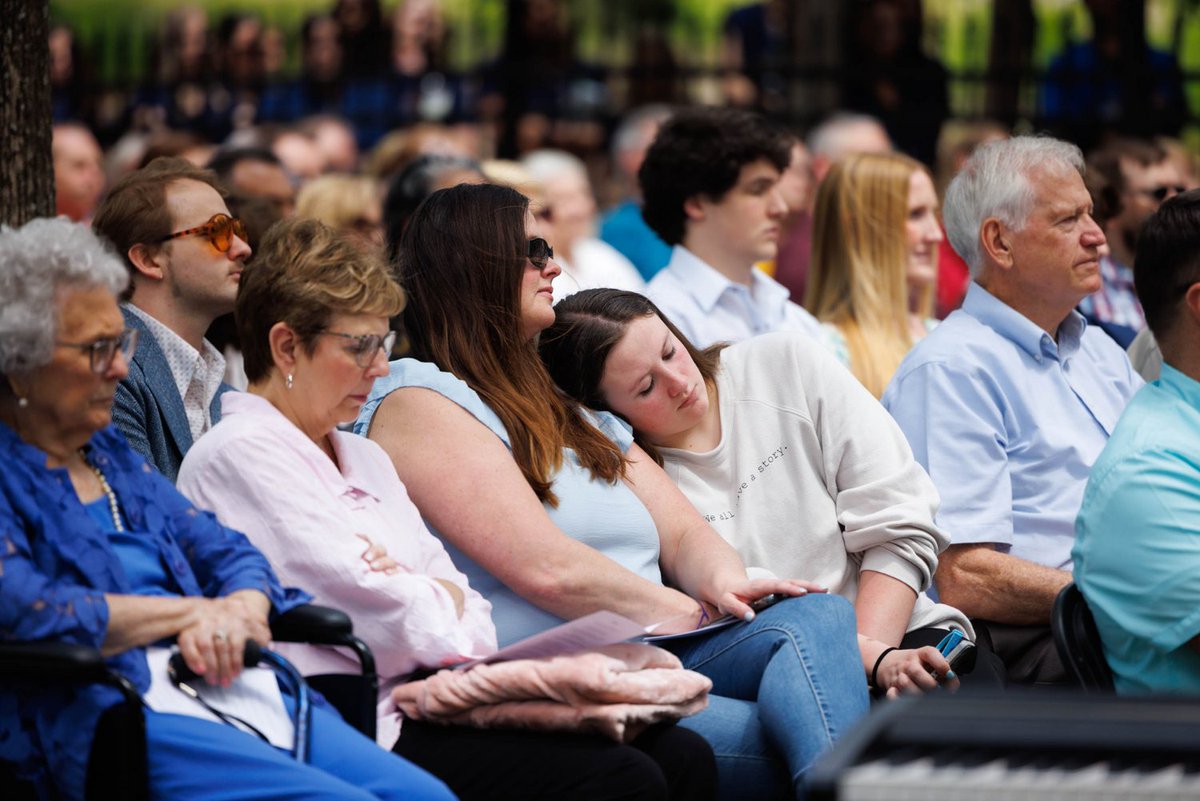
98,549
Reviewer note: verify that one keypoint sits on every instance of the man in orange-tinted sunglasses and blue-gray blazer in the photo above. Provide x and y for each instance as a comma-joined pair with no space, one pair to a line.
185,254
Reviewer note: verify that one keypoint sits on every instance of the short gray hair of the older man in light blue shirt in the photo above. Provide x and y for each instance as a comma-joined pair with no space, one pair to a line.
995,183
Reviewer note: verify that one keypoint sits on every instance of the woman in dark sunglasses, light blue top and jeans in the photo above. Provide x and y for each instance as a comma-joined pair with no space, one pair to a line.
555,514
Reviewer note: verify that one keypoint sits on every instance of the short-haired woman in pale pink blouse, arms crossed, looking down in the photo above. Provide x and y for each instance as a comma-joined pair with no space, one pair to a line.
331,514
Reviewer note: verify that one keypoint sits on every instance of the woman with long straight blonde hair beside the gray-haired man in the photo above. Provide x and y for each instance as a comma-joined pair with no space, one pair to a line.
874,263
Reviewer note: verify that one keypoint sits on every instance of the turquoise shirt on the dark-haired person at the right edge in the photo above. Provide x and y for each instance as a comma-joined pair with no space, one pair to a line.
1138,540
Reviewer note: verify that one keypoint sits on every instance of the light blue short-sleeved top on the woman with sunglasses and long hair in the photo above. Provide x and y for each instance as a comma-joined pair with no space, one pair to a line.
607,517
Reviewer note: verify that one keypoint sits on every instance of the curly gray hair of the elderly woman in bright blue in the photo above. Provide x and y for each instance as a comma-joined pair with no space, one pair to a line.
38,261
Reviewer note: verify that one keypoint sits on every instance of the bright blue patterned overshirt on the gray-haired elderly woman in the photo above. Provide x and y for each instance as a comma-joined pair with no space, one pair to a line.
56,568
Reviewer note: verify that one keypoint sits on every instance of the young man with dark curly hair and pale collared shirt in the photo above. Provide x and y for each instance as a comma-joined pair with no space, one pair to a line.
711,188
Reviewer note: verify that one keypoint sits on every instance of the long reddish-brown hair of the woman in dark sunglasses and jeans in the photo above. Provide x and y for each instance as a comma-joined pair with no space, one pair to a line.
461,262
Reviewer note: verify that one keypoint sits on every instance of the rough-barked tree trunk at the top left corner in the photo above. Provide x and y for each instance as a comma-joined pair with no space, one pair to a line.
27,172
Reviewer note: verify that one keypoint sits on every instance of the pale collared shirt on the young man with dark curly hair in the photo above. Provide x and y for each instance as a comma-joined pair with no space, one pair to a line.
709,308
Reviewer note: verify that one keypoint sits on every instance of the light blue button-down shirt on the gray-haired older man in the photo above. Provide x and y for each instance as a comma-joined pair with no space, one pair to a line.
1009,423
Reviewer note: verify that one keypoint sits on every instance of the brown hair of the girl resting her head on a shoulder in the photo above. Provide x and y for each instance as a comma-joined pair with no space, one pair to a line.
587,327
